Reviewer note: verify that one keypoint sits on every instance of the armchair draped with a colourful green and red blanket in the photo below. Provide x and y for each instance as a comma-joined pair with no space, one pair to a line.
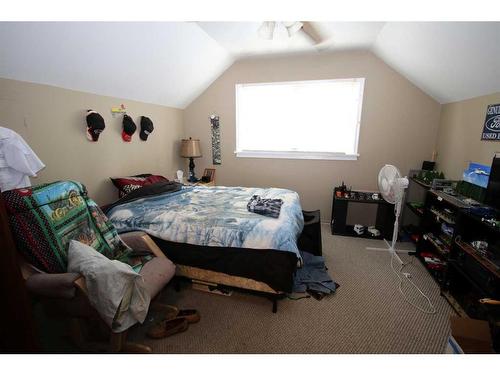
65,294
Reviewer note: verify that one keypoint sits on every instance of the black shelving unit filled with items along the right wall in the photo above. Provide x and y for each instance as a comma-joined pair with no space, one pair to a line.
466,276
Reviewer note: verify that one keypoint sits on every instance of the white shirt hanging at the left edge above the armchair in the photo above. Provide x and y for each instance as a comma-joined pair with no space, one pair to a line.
18,162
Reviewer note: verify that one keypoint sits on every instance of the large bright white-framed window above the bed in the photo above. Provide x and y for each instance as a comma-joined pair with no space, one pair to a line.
299,120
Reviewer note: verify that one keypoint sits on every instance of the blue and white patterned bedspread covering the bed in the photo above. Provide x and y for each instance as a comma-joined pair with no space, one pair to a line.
214,216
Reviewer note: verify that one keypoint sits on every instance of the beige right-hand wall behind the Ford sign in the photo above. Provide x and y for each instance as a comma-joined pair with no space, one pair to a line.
459,138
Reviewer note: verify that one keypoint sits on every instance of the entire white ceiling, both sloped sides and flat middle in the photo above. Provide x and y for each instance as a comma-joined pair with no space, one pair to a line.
171,63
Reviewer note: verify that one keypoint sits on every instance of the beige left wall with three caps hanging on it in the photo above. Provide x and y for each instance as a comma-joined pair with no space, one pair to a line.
52,121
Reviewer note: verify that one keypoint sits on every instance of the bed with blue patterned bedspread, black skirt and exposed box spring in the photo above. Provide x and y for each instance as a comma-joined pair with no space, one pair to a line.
210,235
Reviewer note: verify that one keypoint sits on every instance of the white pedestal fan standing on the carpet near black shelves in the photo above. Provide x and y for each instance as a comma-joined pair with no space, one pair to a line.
392,187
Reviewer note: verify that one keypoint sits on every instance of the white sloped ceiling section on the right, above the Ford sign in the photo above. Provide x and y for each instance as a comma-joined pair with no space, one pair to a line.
450,61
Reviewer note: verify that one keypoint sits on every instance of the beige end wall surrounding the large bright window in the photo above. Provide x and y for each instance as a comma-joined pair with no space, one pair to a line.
399,126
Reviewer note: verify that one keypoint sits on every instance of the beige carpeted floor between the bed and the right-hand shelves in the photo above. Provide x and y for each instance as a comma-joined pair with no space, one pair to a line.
366,315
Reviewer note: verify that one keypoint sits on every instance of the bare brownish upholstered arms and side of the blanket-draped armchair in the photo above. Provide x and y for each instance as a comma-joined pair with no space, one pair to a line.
65,294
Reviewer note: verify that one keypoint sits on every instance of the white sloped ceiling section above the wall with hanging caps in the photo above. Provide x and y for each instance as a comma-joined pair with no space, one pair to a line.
167,63
